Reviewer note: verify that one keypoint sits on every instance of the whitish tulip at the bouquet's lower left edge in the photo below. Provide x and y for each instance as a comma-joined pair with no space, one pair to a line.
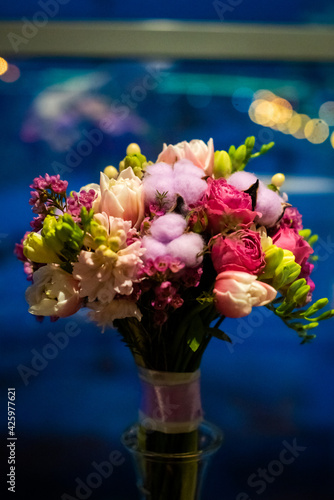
53,293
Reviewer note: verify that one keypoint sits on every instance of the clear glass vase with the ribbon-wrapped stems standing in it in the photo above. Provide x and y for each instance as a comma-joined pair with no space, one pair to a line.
171,445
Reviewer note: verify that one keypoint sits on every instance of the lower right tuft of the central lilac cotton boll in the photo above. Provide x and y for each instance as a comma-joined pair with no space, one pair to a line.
186,248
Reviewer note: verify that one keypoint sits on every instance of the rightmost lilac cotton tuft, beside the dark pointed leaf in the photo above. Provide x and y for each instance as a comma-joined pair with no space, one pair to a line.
269,204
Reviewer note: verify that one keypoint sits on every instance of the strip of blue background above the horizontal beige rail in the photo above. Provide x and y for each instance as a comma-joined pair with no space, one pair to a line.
276,11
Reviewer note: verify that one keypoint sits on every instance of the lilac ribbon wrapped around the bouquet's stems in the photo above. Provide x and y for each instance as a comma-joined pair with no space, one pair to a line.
171,402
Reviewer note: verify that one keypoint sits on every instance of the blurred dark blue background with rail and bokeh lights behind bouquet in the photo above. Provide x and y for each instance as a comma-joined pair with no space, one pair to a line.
62,112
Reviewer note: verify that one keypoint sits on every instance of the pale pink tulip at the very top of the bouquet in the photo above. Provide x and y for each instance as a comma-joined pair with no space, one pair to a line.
199,153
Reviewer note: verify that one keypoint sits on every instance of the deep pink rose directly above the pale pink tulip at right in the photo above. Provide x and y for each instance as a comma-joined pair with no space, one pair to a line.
239,251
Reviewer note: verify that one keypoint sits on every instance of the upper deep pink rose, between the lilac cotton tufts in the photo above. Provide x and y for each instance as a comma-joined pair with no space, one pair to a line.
226,206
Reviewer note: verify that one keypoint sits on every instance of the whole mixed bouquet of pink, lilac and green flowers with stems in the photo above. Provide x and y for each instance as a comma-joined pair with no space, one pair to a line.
164,252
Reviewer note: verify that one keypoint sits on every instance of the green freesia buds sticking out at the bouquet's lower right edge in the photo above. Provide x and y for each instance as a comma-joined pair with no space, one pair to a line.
300,320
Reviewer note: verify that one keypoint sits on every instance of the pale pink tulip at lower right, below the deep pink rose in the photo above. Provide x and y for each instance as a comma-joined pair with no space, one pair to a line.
236,293
